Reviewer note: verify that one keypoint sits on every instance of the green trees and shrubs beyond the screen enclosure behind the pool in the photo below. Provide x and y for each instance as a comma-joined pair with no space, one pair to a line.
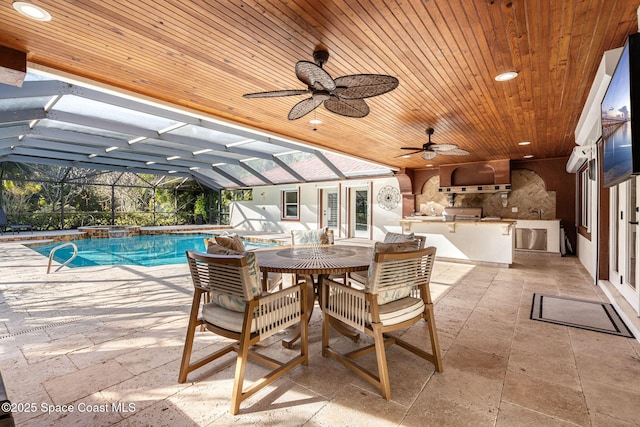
34,194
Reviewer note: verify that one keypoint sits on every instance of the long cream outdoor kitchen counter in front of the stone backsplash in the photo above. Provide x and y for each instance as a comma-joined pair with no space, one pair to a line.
485,241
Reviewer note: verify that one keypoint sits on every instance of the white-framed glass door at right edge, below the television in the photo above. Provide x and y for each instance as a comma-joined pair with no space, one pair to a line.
624,241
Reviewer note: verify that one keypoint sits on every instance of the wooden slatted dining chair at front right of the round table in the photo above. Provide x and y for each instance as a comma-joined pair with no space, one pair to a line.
395,297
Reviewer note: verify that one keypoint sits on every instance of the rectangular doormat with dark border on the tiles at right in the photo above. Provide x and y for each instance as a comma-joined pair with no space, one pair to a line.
590,315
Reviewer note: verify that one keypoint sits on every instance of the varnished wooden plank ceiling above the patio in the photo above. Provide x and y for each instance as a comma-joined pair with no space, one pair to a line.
205,55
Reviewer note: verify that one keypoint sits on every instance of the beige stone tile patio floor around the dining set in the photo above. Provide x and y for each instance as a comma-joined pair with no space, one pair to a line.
107,342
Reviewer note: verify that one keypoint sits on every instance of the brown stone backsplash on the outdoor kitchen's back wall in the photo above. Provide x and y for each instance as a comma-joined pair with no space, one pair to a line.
527,193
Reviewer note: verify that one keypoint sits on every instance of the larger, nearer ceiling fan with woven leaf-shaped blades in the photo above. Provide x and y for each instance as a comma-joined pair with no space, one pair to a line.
344,95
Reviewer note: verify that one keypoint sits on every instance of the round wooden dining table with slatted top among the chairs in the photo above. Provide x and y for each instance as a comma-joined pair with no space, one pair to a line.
314,261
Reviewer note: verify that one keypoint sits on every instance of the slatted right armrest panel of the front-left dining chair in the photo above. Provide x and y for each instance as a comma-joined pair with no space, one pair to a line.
279,310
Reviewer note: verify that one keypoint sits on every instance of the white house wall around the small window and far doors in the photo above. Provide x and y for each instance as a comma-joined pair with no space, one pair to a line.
263,213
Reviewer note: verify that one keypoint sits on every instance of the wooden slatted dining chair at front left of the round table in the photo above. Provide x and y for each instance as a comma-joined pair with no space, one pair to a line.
238,310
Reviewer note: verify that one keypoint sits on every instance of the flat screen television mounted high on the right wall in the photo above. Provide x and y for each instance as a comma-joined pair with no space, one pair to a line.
621,118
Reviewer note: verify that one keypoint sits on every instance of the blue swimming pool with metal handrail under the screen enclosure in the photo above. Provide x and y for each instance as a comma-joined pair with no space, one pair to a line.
146,250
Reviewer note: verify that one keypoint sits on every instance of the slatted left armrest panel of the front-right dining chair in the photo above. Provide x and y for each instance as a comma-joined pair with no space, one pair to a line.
344,303
